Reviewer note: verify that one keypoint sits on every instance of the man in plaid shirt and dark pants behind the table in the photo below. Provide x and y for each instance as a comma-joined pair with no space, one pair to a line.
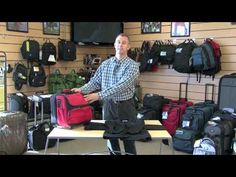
115,79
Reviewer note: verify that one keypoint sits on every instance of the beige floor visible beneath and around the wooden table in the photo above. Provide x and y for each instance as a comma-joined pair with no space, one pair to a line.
98,147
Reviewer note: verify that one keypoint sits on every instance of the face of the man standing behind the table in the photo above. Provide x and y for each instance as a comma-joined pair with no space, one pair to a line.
122,45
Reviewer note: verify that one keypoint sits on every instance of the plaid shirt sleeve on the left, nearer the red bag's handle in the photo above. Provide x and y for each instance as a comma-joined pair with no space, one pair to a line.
94,83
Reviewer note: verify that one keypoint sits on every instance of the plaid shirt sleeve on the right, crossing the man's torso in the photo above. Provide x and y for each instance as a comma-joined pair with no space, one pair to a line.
127,81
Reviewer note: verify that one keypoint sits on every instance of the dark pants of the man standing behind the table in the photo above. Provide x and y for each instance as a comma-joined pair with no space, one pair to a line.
124,110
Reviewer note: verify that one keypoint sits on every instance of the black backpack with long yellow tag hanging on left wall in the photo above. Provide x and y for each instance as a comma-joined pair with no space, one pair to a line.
30,50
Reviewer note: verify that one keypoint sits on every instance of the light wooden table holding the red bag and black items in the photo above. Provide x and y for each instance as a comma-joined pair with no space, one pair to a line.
78,132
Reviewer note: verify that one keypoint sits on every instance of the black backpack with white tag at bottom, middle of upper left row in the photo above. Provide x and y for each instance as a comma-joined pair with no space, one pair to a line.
48,53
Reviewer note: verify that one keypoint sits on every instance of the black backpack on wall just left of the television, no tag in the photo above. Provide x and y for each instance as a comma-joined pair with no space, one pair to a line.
66,50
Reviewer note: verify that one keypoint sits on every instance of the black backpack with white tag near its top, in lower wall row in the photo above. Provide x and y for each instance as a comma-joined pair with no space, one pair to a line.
37,76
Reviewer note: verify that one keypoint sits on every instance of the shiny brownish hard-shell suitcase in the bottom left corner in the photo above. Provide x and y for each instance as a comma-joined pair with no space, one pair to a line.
13,132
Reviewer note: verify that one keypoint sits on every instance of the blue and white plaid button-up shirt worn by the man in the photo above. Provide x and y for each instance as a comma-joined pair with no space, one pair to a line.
115,78
